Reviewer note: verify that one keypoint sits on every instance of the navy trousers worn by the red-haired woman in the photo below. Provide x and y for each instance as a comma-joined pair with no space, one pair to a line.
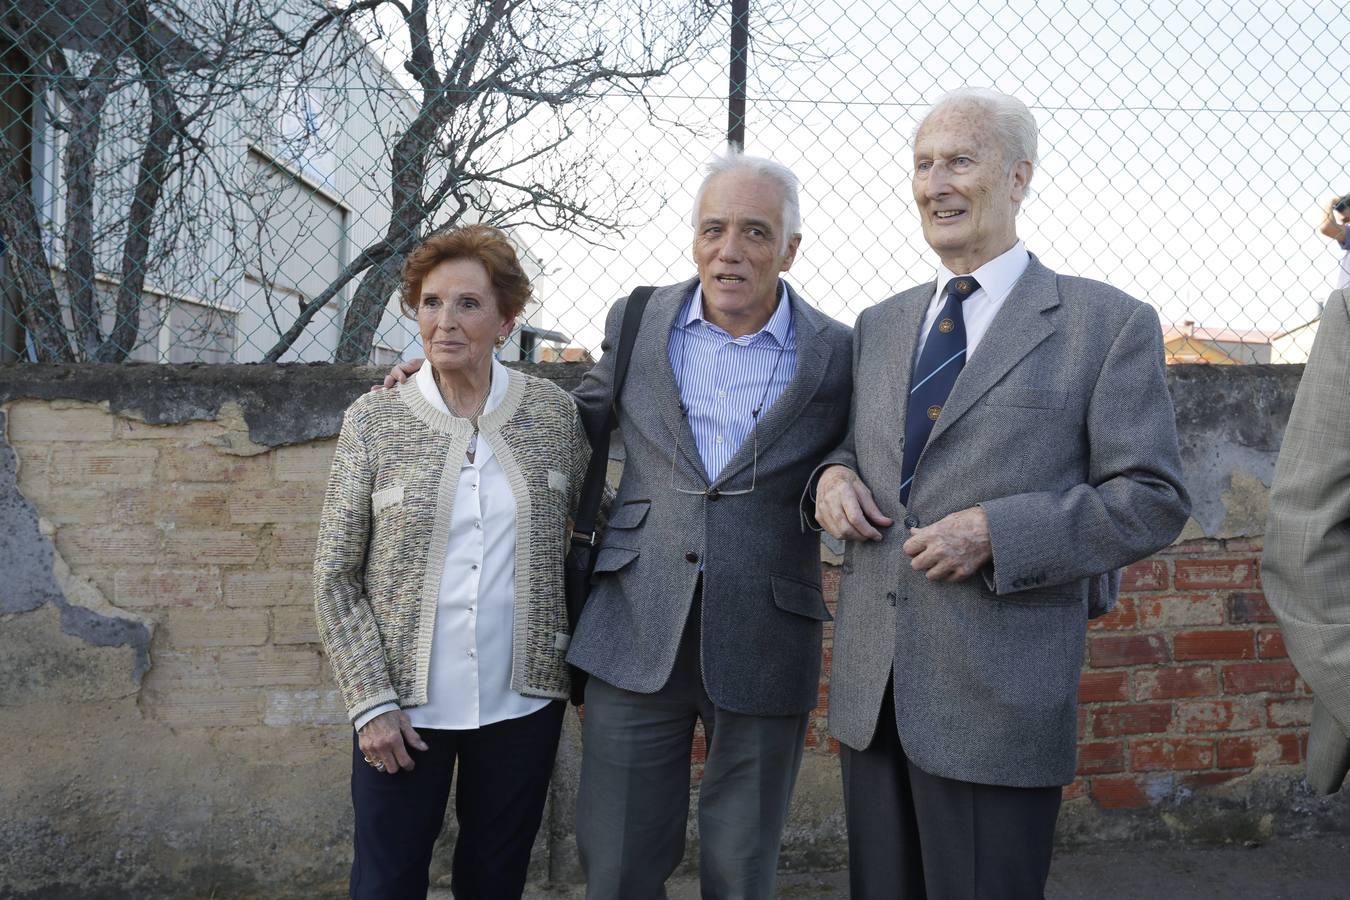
504,772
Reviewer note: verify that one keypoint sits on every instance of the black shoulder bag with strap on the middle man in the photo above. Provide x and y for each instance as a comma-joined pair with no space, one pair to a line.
581,554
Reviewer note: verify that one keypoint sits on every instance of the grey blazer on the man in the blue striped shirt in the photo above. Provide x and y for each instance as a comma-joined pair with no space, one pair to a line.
762,573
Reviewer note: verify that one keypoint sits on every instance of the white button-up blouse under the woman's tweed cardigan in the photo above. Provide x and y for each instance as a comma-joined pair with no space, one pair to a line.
469,679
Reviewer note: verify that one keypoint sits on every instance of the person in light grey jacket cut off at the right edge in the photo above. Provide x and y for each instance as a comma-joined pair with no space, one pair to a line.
1306,569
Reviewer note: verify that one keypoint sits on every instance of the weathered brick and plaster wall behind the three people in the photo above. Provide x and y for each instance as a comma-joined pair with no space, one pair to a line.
159,643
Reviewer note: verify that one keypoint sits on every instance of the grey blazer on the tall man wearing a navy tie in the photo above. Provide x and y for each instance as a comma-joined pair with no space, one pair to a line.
1062,428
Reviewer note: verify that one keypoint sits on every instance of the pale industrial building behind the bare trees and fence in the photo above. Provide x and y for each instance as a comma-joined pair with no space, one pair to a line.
299,188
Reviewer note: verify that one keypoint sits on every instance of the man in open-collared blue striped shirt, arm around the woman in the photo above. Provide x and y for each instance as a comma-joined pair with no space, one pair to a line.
707,602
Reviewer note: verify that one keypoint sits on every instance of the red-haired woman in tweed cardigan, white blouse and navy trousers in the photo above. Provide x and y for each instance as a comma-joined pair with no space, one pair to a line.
439,584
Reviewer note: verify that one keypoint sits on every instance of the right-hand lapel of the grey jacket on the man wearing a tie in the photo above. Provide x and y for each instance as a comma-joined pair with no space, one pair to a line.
1017,330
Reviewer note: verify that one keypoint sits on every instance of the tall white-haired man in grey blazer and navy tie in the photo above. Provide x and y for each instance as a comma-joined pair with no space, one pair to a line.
1012,446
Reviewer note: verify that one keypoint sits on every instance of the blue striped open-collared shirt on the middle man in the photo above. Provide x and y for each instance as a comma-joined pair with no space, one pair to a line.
723,378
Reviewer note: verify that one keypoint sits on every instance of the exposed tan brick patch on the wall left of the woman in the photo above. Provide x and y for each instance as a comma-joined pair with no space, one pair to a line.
210,547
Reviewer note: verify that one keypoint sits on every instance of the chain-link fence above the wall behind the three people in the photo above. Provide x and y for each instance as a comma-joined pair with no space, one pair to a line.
236,181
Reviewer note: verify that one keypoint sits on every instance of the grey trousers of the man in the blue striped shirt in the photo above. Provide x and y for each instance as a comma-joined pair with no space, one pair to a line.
634,797
